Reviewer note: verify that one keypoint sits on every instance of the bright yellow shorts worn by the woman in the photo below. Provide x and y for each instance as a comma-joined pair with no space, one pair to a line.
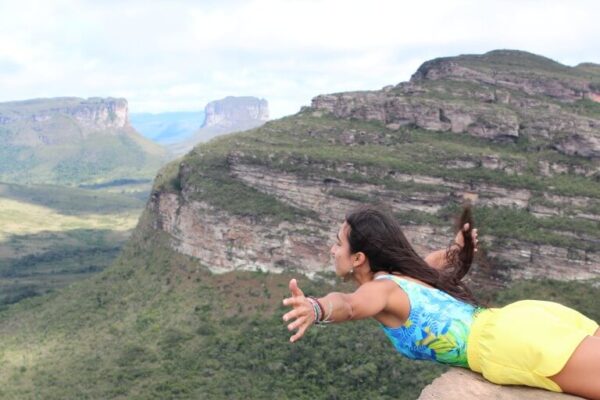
524,342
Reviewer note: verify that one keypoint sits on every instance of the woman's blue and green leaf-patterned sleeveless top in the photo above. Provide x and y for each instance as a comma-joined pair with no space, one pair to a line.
437,327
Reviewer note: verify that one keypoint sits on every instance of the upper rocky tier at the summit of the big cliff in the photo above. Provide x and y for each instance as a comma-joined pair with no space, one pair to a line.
490,96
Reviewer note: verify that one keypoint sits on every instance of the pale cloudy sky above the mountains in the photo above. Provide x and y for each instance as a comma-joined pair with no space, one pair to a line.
178,55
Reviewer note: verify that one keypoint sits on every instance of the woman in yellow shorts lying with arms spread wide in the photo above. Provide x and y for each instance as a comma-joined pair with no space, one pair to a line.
429,313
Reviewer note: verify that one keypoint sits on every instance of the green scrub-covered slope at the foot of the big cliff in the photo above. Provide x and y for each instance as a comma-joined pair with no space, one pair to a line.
155,325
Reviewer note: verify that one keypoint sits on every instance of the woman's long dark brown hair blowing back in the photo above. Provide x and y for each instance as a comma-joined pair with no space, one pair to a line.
378,235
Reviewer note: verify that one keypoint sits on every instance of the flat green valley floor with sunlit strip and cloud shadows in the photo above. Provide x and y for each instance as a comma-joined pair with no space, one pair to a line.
51,236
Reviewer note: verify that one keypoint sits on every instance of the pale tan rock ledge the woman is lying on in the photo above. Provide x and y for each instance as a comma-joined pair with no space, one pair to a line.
461,384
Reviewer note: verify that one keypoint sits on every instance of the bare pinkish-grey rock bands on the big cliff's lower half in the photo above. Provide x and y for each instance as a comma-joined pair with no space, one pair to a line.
224,241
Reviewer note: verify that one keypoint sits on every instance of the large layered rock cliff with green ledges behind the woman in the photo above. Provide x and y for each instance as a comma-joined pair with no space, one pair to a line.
273,198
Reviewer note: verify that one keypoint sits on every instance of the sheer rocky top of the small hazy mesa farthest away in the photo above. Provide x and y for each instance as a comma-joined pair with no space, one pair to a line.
234,111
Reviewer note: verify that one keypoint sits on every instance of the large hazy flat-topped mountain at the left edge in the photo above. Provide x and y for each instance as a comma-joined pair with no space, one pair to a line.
73,140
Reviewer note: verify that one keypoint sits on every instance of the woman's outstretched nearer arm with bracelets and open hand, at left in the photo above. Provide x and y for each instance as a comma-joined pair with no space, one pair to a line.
368,300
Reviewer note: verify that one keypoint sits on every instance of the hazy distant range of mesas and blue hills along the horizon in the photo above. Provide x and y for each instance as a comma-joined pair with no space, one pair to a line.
70,140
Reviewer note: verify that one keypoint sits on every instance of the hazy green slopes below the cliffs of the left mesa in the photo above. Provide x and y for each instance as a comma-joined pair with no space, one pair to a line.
70,153
